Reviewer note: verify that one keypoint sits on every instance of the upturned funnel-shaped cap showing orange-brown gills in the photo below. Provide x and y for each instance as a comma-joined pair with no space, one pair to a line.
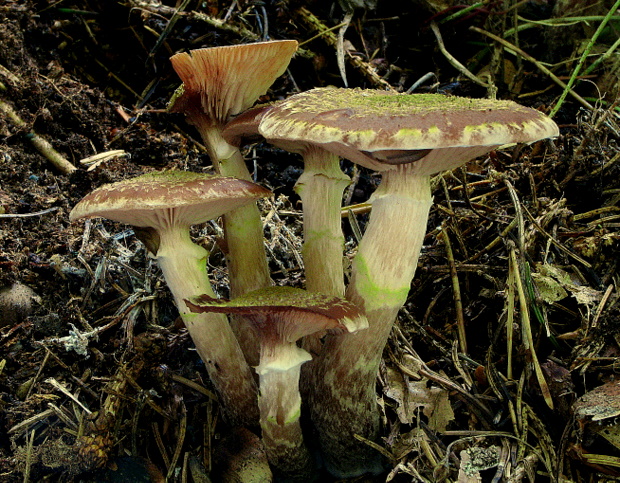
227,80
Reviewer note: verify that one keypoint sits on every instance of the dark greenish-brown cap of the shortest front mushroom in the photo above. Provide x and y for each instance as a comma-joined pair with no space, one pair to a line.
287,314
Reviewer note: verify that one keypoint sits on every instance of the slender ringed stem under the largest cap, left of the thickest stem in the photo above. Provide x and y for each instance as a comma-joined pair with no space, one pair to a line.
320,188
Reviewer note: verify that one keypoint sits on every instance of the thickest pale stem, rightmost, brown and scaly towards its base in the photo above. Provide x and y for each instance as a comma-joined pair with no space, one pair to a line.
343,401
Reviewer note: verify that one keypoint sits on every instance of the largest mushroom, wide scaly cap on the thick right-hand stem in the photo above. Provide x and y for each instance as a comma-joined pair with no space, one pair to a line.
407,138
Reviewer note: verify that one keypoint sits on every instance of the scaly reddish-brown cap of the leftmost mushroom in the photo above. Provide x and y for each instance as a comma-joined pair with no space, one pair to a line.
194,197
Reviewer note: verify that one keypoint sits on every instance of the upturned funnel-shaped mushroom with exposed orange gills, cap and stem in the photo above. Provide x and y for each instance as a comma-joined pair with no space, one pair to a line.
218,83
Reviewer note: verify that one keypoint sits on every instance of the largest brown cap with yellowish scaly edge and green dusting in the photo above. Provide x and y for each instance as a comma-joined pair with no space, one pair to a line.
377,128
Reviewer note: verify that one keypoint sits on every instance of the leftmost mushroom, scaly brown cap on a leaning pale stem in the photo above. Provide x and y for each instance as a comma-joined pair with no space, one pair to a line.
162,206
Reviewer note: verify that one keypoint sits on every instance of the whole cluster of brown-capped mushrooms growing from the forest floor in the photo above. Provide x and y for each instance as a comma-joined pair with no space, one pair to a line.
315,350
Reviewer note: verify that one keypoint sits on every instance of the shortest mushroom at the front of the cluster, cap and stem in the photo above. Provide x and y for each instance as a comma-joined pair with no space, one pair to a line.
281,316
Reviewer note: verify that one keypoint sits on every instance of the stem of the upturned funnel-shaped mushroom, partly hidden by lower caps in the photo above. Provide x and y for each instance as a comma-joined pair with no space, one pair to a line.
246,258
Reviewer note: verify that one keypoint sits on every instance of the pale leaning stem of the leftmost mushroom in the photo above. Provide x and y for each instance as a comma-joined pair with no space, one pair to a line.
183,264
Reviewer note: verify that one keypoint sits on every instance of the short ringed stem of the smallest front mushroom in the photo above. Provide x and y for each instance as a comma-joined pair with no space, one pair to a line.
280,408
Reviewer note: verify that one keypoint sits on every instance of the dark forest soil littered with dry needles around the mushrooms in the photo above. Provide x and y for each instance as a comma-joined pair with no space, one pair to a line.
98,332
